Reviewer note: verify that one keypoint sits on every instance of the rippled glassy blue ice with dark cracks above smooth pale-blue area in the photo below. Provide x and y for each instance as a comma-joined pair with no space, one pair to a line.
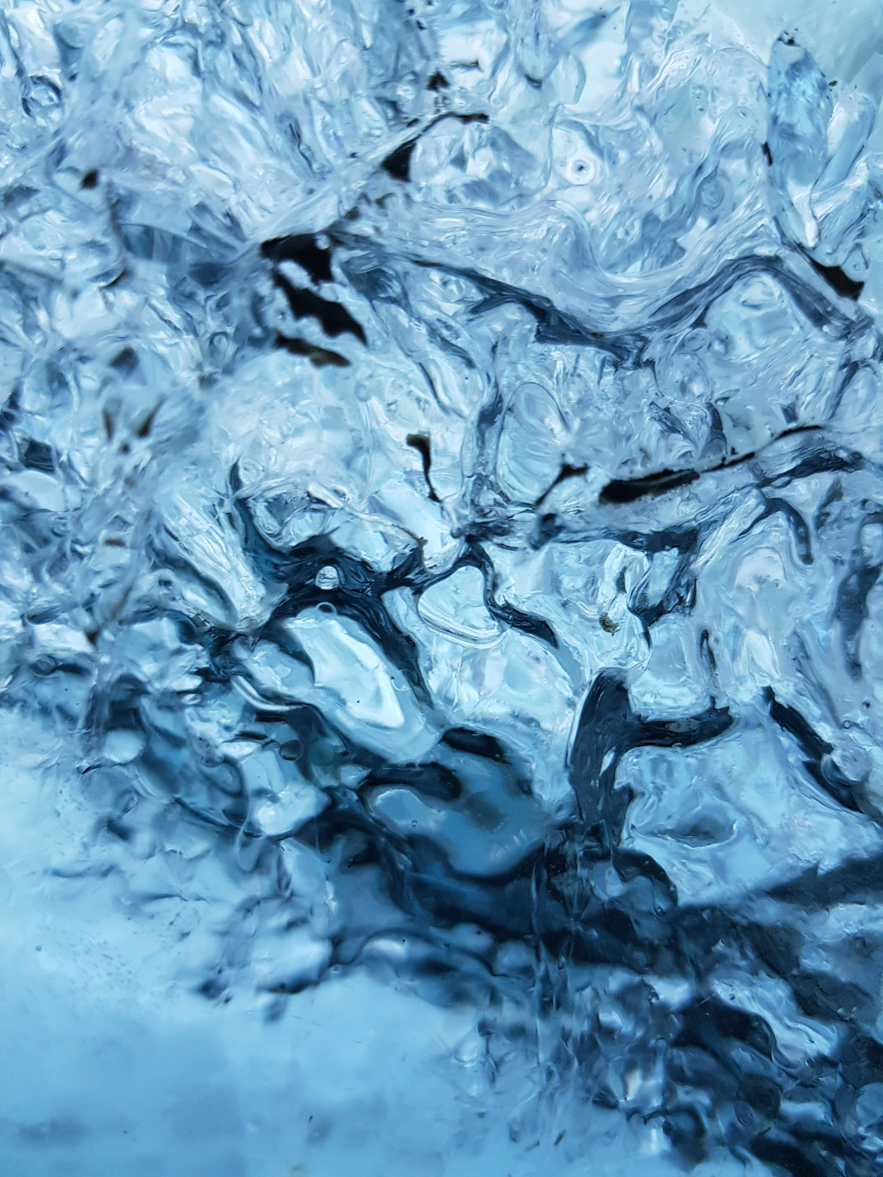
443,509
